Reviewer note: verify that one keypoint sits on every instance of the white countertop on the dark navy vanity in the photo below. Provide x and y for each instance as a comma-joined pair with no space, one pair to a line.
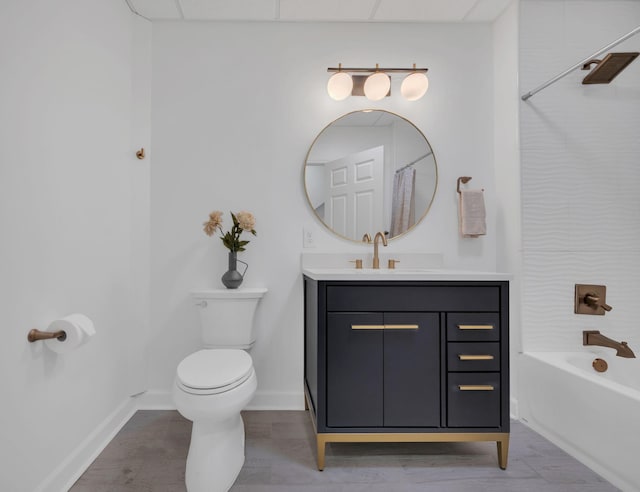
401,274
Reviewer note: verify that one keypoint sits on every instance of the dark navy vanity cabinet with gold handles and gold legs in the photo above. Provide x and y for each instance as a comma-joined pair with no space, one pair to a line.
391,361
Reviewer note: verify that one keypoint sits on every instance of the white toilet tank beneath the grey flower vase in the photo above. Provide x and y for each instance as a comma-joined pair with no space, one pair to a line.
227,316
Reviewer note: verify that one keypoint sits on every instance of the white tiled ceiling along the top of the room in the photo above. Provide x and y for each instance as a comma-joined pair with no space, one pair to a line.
321,10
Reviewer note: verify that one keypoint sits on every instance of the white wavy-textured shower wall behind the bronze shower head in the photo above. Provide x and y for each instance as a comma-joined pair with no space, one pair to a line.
580,160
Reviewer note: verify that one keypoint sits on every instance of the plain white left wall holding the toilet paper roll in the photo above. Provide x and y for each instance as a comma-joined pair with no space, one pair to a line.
70,217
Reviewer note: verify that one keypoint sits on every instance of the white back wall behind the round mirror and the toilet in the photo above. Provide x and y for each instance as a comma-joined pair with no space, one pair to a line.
235,108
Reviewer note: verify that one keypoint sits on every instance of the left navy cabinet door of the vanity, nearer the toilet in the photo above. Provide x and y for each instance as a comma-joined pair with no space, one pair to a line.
354,369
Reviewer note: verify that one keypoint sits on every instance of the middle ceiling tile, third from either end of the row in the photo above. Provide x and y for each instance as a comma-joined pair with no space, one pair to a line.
326,10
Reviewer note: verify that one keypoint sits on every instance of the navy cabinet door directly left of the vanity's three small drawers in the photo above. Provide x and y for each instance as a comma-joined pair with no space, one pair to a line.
412,370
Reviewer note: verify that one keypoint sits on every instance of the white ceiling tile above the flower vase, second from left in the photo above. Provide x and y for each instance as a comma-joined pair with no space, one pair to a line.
229,9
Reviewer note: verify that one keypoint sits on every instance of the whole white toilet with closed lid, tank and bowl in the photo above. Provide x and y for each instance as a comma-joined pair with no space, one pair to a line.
212,386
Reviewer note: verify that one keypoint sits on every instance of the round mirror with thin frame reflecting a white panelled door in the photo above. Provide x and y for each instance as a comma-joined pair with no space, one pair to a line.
370,171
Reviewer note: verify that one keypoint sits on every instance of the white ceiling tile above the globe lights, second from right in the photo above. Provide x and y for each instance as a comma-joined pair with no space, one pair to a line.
424,10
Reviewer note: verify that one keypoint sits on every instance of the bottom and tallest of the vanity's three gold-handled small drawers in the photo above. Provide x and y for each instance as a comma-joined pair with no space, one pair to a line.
473,400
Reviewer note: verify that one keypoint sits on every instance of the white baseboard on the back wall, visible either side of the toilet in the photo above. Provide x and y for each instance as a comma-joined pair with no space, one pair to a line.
263,400
